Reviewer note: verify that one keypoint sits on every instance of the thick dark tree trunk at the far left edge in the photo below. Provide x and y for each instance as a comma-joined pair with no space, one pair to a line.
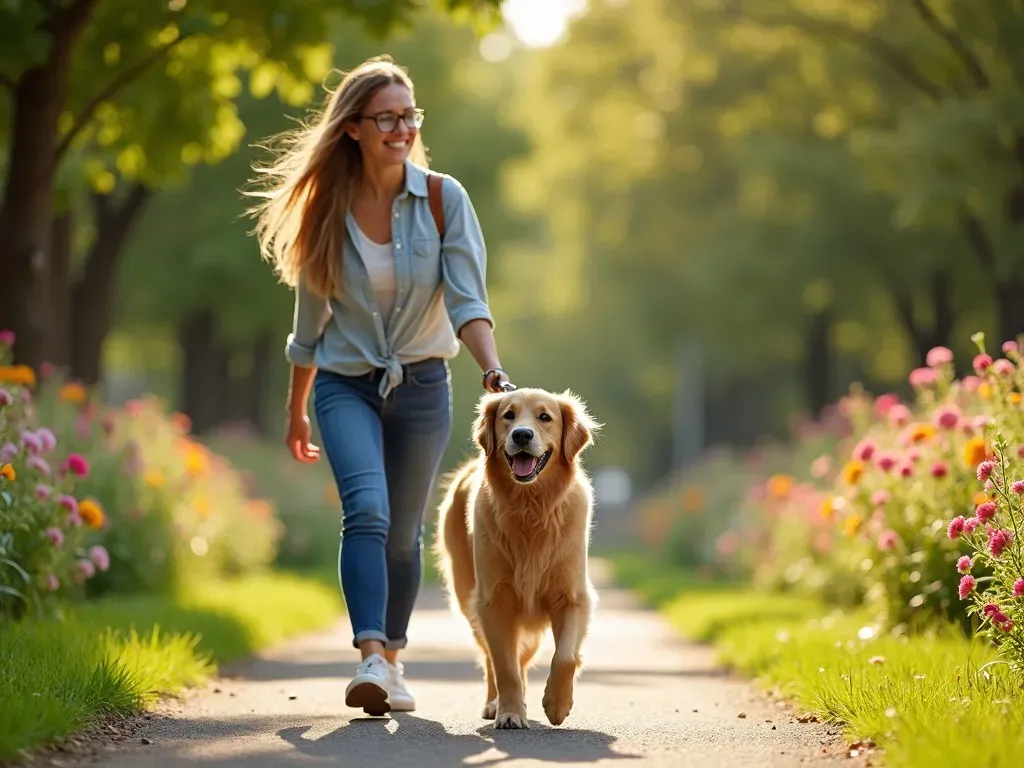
27,210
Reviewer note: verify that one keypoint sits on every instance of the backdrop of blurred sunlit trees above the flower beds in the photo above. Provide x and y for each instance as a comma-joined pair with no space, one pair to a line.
710,219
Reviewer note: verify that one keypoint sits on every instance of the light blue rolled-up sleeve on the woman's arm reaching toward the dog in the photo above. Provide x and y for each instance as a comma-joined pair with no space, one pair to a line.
464,260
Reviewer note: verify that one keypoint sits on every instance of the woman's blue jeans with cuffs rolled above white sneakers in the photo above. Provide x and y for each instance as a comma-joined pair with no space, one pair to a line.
386,457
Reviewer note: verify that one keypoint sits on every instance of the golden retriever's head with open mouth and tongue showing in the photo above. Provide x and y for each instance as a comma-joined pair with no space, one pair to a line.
529,431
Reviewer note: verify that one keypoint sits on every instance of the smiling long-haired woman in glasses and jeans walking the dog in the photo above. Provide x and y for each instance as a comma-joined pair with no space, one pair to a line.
382,302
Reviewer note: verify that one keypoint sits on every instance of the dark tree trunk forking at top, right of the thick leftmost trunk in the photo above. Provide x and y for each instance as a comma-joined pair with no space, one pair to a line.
94,294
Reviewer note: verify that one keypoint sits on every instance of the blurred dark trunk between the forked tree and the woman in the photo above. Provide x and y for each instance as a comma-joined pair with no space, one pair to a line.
205,372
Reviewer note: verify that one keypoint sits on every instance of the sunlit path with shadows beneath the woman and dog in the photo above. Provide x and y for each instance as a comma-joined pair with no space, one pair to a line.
647,700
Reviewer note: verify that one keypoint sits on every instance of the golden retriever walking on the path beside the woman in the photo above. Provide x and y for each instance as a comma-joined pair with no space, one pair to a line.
513,542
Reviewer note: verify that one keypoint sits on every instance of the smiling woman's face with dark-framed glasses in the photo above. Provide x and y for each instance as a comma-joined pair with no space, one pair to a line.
383,132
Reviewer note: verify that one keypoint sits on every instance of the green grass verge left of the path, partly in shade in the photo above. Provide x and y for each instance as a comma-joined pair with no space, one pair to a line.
116,657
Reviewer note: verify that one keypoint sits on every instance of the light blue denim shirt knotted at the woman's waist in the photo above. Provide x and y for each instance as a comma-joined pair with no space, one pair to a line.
347,334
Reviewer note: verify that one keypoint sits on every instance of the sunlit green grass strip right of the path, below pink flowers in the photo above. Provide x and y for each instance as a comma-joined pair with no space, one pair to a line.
931,701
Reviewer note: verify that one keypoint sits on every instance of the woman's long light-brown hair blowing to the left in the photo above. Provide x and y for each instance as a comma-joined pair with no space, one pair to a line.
302,222
